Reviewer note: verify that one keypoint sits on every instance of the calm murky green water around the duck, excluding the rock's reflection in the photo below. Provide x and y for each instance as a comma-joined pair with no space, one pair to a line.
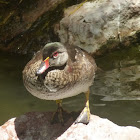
15,100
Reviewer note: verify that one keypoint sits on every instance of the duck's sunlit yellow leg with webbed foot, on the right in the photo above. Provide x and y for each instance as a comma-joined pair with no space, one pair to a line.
84,116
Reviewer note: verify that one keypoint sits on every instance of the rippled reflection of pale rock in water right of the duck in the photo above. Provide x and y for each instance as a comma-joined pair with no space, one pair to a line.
120,78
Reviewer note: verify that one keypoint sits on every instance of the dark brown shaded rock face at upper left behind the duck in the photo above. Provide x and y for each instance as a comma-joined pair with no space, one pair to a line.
26,26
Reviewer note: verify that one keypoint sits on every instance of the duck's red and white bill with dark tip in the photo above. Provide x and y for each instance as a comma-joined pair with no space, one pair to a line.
43,67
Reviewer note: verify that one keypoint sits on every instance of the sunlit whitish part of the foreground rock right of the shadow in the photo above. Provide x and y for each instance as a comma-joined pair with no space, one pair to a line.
100,129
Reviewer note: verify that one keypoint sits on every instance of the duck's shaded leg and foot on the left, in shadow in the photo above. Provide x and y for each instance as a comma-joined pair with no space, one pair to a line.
58,116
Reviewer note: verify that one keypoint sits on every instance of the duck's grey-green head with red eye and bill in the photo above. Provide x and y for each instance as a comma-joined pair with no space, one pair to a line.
54,55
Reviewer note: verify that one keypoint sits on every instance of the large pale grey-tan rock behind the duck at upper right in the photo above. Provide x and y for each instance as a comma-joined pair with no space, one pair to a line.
101,24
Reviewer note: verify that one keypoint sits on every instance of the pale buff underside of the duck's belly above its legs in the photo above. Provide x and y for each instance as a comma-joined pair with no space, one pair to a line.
62,93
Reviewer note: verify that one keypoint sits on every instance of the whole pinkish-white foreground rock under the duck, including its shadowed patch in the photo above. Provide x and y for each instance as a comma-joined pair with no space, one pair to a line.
36,126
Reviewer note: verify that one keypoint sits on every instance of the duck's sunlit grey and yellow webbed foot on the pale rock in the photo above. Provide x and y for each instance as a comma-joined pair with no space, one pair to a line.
84,116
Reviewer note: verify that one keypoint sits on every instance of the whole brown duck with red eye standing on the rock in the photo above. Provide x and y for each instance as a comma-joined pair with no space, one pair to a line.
61,71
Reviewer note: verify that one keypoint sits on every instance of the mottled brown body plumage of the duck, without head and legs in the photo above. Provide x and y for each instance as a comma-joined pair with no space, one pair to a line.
57,82
